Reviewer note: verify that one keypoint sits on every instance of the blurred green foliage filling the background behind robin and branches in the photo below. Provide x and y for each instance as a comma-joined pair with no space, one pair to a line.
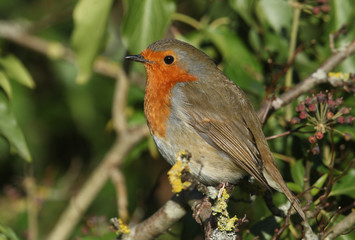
65,128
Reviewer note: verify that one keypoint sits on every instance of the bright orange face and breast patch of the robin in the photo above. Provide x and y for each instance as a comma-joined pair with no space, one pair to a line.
161,78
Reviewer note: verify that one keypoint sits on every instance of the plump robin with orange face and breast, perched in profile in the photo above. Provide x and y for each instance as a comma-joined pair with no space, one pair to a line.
190,104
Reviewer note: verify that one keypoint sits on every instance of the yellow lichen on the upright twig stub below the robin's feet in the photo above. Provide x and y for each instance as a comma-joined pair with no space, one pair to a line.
224,222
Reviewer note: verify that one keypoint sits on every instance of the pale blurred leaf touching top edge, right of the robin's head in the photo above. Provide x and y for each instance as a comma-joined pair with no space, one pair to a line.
278,13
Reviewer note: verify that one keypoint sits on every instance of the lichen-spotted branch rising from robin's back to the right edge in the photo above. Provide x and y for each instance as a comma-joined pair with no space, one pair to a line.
317,77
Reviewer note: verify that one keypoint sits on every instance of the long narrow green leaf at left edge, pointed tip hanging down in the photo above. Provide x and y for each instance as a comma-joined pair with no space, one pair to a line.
11,130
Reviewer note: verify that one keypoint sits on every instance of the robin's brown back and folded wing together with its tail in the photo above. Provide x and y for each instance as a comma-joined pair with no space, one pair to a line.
222,115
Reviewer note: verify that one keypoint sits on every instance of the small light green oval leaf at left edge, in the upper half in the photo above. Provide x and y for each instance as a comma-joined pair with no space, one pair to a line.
15,70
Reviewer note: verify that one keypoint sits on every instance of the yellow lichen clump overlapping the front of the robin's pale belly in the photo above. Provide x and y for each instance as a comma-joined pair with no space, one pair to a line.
176,170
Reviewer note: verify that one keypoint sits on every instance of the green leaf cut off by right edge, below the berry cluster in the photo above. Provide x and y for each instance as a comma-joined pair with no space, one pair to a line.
345,186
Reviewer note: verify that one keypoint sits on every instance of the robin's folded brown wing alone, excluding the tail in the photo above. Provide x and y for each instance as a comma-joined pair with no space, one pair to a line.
219,120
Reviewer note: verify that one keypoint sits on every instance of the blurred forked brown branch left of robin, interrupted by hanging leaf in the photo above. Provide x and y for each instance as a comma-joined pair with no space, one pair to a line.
126,140
